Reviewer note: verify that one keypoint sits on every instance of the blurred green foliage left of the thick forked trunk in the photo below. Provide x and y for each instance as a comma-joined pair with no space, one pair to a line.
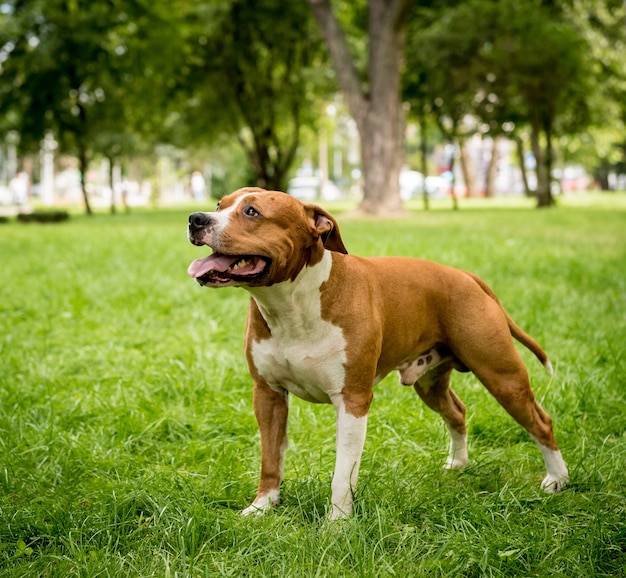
115,78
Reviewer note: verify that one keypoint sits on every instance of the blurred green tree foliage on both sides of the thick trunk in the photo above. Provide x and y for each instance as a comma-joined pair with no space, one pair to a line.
117,77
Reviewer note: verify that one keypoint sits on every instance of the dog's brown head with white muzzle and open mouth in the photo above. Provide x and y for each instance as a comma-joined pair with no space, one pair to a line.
259,238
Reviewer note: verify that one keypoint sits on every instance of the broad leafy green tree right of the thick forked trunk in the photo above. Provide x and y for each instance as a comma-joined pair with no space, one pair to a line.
506,65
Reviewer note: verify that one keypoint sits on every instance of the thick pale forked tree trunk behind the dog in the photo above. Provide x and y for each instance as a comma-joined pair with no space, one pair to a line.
374,100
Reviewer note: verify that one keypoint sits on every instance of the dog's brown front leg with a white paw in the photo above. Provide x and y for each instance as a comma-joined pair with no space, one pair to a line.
271,410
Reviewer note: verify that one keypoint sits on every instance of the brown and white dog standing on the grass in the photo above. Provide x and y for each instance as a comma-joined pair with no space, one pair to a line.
326,326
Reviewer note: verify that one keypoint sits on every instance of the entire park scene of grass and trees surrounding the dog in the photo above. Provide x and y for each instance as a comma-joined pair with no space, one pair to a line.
128,444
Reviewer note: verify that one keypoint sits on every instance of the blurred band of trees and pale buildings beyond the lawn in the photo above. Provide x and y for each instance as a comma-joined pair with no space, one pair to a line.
121,103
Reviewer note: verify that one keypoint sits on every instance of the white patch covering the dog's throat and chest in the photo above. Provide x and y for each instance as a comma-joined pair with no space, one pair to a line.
305,354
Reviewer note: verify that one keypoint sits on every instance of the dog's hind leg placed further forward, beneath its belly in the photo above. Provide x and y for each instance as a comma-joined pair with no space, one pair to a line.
434,389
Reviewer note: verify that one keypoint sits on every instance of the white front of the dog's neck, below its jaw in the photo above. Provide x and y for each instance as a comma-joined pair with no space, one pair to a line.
290,307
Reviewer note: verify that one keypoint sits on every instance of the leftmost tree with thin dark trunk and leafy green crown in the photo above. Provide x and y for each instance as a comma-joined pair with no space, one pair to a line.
73,67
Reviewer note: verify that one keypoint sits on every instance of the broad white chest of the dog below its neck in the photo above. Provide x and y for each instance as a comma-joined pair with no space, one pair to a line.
312,370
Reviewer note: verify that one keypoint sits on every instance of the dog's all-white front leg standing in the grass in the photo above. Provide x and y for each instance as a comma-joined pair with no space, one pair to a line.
351,430
